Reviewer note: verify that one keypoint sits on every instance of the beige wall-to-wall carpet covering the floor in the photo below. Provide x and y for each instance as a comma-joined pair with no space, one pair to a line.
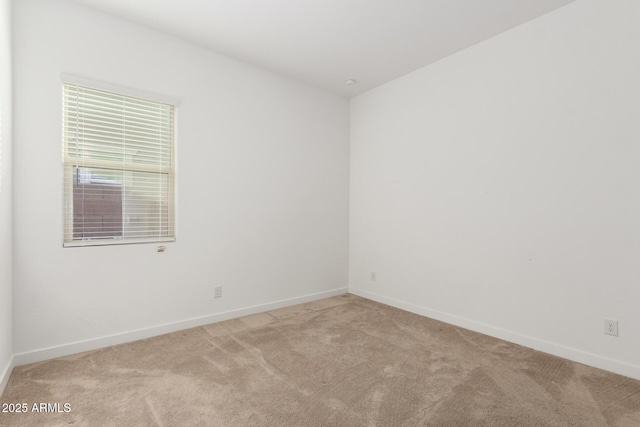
343,361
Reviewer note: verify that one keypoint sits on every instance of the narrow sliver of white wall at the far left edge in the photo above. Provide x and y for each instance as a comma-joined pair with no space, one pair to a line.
6,347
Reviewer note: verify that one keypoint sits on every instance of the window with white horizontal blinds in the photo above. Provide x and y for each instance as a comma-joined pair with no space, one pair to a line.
118,168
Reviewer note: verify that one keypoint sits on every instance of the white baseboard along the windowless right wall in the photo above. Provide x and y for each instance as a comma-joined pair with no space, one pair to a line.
612,365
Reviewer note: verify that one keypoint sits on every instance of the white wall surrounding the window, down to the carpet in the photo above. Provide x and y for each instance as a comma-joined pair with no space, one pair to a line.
262,188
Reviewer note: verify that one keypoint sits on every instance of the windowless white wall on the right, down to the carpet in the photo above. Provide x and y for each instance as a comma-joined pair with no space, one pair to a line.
498,188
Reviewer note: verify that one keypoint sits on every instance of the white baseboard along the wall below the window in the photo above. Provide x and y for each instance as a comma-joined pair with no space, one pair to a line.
106,341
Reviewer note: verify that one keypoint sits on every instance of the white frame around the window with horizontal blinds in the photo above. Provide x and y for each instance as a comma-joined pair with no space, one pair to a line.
69,163
